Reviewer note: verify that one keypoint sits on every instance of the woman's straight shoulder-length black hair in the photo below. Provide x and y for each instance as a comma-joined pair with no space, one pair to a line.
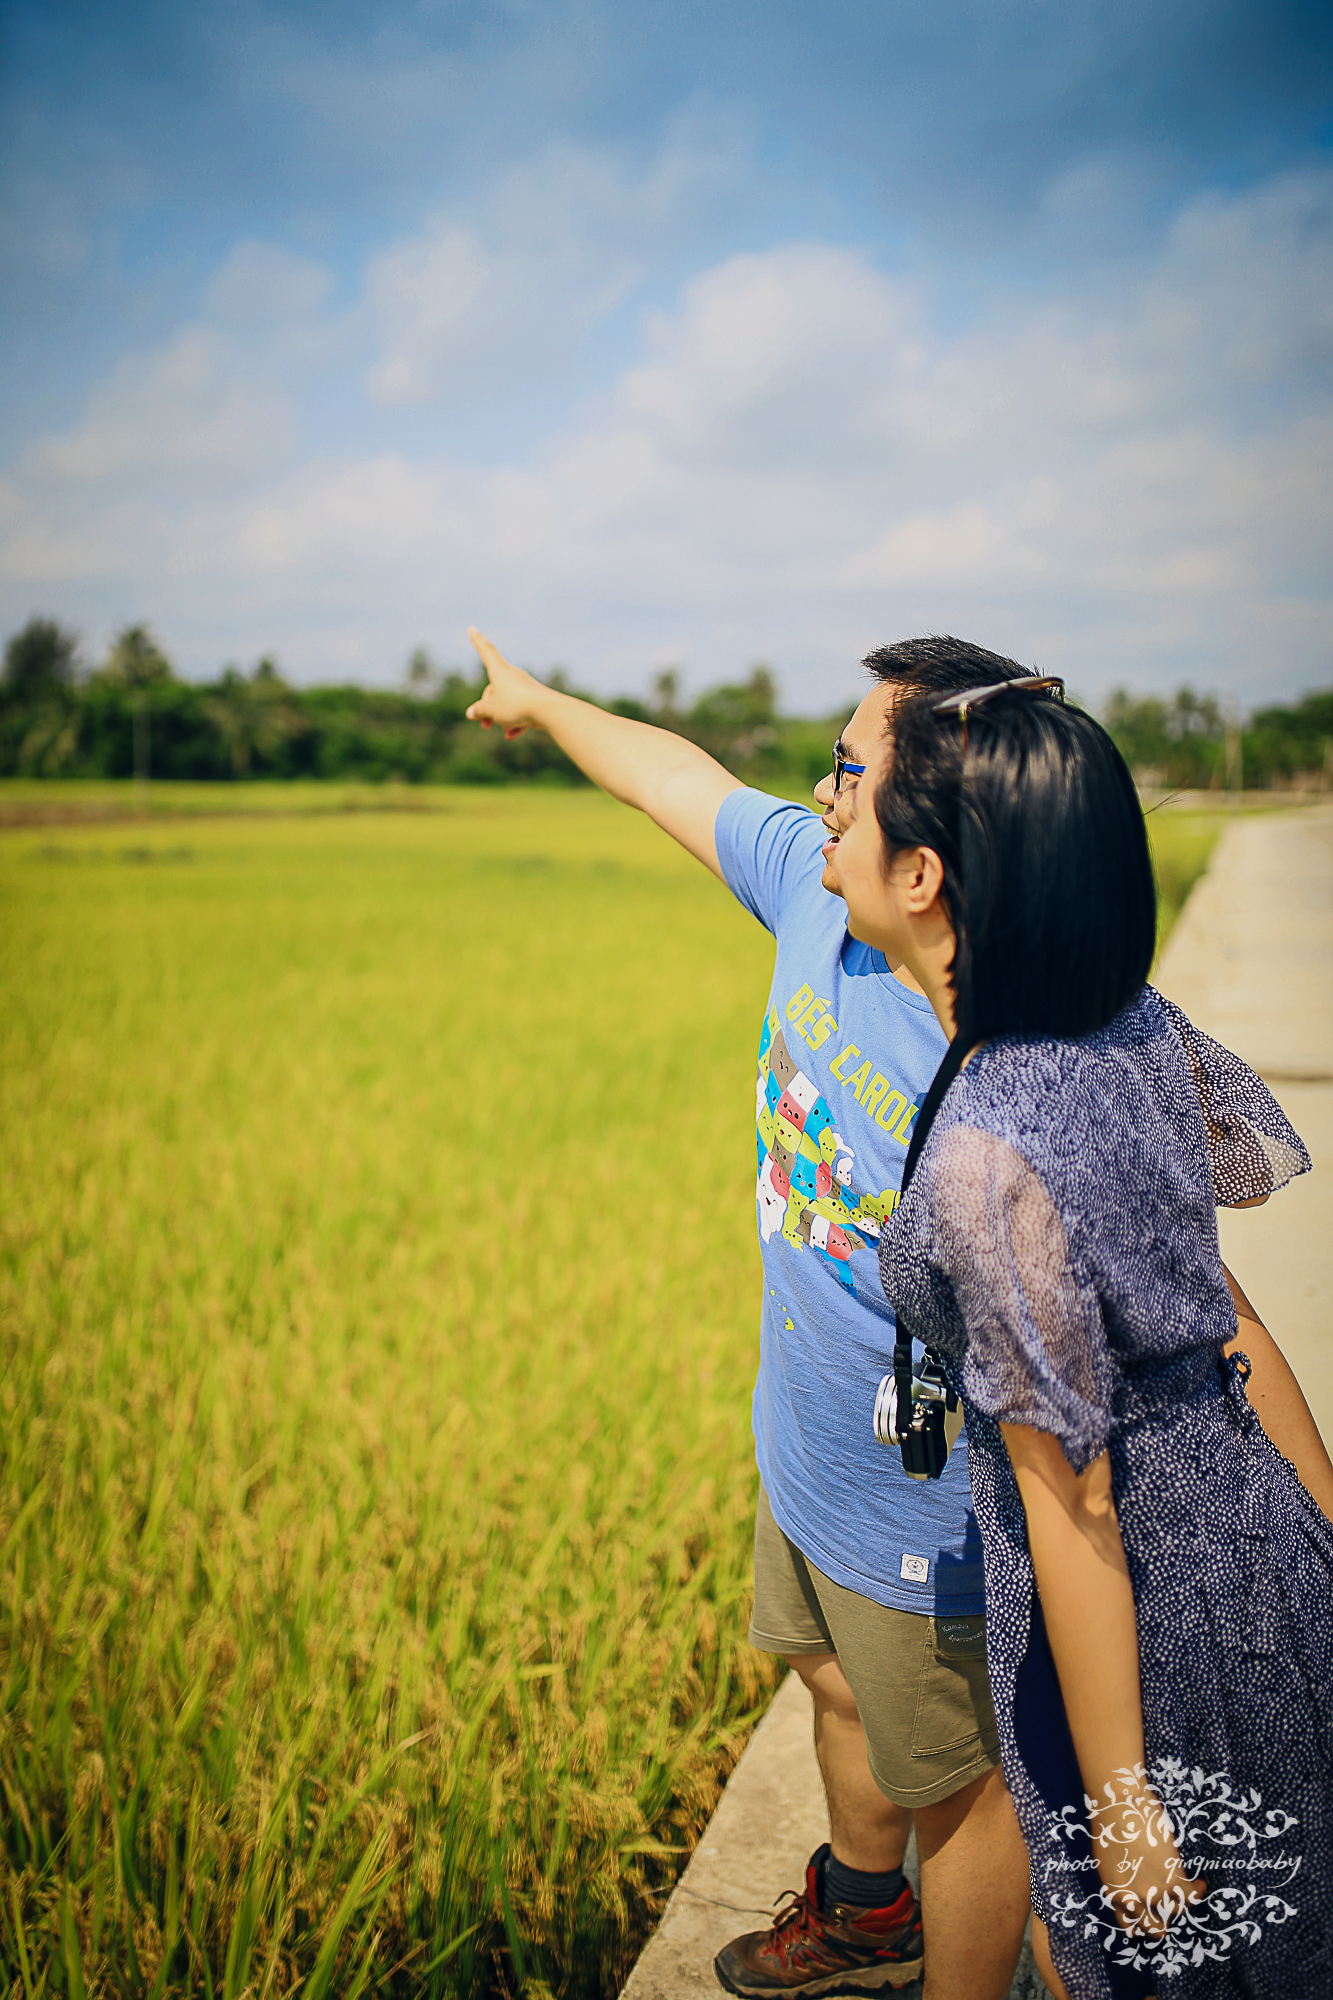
1048,871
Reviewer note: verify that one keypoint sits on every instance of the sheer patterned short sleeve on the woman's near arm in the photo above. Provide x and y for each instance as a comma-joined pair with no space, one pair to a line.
1036,1343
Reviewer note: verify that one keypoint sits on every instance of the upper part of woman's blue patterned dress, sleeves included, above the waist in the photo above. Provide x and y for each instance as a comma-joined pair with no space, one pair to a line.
1060,1237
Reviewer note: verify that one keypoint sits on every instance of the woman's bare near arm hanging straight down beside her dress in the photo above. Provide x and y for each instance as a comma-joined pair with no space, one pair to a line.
1090,1609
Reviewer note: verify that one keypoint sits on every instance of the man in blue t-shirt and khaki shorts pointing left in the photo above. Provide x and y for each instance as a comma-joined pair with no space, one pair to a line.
866,1583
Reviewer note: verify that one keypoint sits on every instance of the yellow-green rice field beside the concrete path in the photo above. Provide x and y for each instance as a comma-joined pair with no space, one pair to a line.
377,1331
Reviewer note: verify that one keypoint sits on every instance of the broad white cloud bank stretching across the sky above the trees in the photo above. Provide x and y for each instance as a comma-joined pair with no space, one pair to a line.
1130,483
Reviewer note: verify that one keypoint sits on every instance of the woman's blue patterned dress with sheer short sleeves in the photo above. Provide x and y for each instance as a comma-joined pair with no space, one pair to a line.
1058,1249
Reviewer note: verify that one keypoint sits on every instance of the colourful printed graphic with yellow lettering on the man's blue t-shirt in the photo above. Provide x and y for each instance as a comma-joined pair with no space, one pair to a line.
806,1167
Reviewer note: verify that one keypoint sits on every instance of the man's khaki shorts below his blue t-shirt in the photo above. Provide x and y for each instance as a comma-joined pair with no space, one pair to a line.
920,1683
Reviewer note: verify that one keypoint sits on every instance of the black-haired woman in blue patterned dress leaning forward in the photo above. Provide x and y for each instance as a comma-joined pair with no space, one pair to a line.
1160,1577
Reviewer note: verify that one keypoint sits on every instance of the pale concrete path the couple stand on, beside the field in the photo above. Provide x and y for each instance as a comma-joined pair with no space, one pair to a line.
1252,963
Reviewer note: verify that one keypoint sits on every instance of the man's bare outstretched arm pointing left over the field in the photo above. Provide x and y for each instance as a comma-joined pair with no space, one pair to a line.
670,779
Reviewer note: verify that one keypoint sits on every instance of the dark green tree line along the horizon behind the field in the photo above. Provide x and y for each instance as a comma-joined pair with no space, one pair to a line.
133,717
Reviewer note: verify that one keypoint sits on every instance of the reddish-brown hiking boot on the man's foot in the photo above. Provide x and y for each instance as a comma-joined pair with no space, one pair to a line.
838,1951
